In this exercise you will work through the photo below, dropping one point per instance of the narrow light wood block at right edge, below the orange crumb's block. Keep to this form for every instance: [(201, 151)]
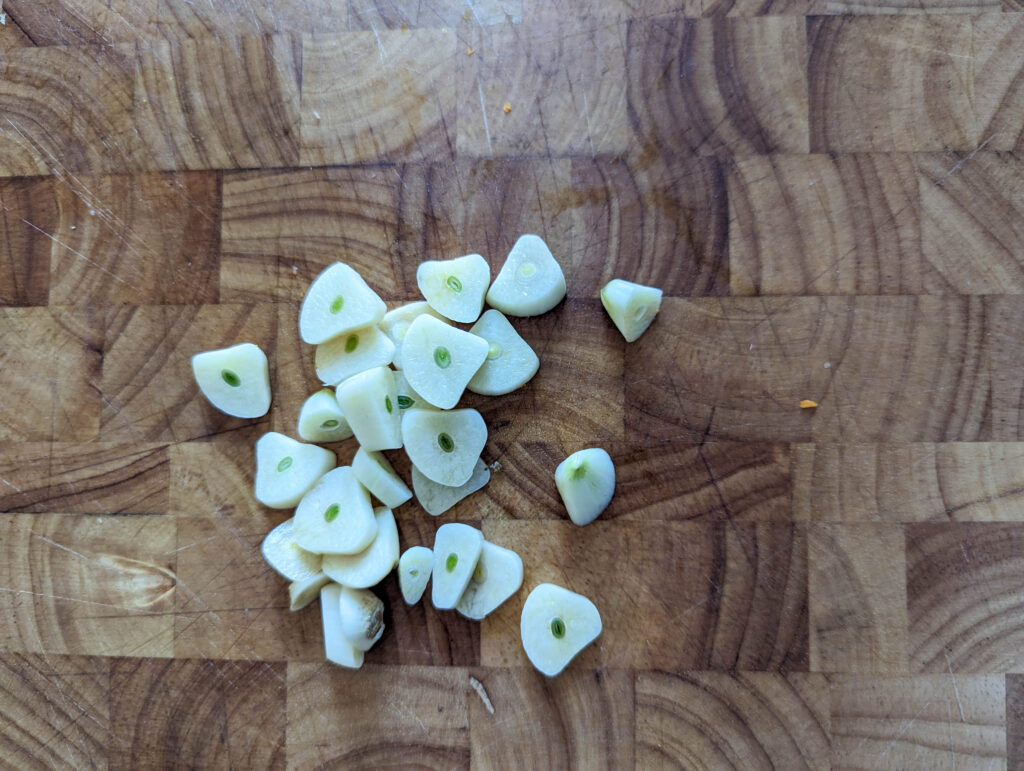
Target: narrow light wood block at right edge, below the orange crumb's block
[(959, 482)]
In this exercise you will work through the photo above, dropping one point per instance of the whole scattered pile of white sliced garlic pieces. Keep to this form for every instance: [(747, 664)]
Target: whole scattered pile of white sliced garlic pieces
[(394, 380)]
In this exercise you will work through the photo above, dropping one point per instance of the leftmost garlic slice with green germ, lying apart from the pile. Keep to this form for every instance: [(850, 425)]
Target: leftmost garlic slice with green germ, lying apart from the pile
[(235, 380)]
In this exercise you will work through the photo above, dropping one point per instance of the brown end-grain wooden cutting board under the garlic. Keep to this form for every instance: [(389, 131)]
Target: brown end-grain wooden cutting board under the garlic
[(834, 206)]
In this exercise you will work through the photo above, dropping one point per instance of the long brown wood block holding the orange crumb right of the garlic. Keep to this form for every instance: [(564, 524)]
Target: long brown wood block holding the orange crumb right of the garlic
[(740, 368)]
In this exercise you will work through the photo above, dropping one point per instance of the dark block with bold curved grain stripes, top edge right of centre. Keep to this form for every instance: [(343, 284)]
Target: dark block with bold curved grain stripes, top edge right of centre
[(753, 102)]
